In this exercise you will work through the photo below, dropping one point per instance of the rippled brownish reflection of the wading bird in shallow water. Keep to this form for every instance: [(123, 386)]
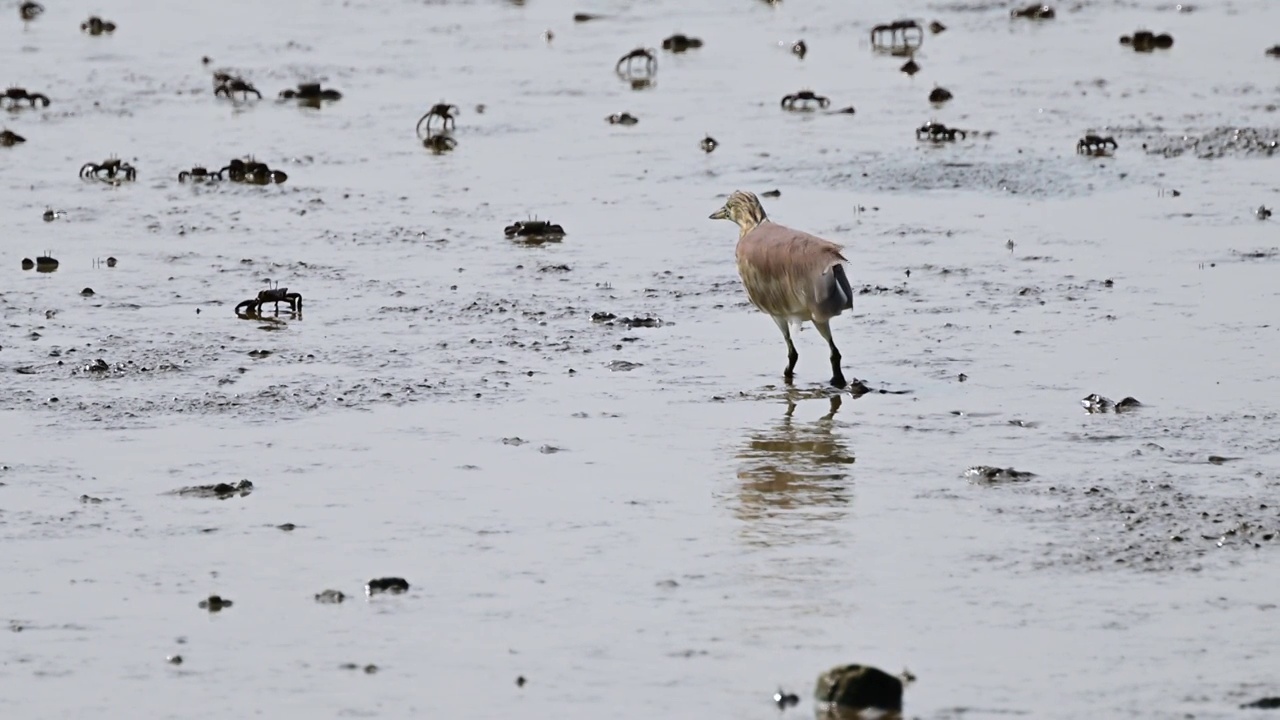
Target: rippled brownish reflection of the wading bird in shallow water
[(794, 473)]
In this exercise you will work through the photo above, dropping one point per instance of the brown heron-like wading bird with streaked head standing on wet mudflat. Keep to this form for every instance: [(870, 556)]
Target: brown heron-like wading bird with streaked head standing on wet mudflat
[(790, 275)]
